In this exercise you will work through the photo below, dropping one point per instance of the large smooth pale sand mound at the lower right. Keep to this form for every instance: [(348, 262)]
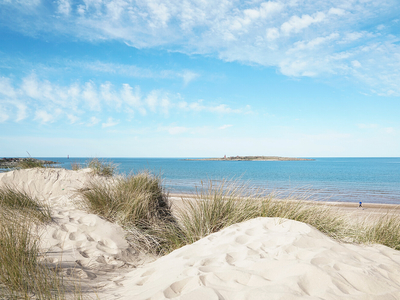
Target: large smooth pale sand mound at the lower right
[(268, 258)]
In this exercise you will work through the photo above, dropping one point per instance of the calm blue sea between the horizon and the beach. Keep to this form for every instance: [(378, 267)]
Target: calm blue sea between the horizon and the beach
[(367, 180)]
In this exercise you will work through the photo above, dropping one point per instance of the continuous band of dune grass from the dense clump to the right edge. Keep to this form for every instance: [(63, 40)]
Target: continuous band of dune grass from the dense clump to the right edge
[(140, 204)]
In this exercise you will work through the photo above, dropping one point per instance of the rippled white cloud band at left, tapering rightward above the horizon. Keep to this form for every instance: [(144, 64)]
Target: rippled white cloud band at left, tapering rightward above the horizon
[(51, 102)]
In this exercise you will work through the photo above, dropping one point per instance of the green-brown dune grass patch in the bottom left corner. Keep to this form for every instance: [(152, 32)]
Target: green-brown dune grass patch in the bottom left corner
[(23, 274)]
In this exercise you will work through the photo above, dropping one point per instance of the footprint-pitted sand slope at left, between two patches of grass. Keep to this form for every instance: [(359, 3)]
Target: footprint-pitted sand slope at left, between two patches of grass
[(87, 247)]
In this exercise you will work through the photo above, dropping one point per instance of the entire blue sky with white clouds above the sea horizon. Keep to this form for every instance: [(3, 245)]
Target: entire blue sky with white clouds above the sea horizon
[(199, 78)]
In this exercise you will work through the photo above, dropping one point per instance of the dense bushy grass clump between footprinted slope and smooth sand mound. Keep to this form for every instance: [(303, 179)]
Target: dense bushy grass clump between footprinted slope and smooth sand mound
[(136, 202)]
